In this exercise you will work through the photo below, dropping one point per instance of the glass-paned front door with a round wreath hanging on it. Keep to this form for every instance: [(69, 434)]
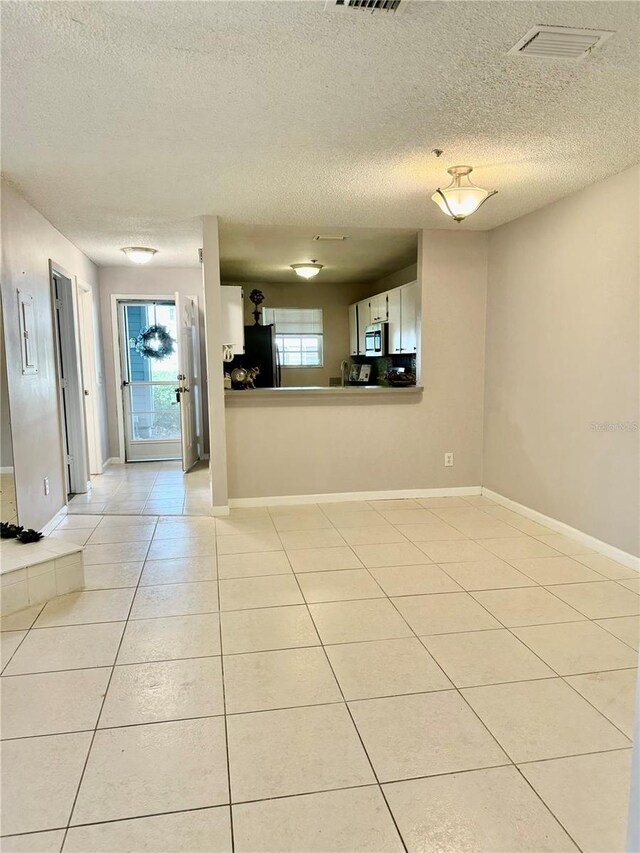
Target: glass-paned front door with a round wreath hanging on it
[(151, 408)]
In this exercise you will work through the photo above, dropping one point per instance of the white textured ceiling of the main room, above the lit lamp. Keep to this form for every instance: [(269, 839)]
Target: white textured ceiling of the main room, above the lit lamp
[(123, 122)]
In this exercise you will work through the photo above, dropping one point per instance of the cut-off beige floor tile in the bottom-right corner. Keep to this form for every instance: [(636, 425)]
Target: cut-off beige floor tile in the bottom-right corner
[(589, 794)]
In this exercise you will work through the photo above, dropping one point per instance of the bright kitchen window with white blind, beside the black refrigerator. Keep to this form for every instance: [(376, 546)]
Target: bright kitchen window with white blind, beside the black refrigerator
[(298, 335)]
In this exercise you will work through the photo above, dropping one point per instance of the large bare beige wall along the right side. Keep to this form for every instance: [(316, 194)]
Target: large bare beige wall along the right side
[(562, 354)]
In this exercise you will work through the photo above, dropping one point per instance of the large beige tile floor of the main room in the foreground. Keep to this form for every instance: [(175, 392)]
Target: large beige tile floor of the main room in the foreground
[(420, 675)]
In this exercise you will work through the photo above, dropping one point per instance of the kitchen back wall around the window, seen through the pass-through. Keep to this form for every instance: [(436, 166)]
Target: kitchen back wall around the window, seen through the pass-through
[(334, 299)]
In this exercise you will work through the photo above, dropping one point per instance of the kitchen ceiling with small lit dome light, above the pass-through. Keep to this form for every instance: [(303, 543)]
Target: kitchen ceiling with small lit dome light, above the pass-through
[(265, 252)]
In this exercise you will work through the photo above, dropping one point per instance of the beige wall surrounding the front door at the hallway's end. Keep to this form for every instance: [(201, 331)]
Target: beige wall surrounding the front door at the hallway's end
[(144, 281)]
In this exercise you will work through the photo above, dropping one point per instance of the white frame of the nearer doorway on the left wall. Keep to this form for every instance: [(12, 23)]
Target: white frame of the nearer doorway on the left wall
[(71, 414)]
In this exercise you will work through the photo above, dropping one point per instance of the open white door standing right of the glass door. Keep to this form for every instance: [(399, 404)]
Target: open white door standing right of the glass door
[(188, 390)]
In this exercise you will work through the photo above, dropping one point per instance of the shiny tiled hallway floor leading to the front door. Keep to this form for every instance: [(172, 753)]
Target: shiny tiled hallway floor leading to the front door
[(147, 488)]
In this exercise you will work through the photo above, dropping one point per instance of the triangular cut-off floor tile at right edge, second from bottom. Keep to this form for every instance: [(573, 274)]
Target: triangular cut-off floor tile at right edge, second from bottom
[(612, 693)]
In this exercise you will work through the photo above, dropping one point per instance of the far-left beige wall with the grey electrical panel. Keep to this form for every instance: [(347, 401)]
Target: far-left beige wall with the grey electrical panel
[(28, 243)]
